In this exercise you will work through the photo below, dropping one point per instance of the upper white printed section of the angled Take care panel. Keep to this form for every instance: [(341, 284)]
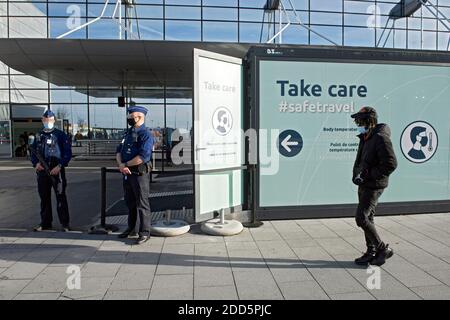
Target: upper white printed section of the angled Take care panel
[(219, 103)]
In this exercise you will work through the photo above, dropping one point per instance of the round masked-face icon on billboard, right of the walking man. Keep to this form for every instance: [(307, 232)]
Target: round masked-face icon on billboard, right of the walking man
[(419, 142)]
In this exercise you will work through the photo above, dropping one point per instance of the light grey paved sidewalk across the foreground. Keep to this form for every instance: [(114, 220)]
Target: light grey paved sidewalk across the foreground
[(301, 259)]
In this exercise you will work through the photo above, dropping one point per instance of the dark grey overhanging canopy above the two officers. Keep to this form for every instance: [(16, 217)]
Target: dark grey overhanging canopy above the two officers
[(109, 63)]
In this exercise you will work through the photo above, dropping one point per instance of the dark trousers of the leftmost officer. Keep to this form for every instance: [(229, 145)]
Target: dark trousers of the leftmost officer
[(45, 186)]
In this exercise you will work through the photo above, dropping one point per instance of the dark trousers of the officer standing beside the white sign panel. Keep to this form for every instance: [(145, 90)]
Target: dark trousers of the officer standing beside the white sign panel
[(136, 193)]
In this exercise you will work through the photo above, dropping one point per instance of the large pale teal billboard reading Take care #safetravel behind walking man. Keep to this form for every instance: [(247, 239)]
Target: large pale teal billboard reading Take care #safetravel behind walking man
[(303, 116)]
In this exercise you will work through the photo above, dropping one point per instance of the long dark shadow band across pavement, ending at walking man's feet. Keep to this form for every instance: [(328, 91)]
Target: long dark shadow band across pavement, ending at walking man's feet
[(81, 254)]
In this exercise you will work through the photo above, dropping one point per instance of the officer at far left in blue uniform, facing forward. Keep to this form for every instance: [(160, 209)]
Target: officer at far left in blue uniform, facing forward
[(55, 150)]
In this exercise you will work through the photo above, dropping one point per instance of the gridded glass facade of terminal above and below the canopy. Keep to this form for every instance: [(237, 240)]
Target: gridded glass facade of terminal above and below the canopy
[(93, 113)]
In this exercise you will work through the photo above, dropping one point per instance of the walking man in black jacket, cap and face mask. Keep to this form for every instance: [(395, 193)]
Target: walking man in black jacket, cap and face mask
[(375, 161)]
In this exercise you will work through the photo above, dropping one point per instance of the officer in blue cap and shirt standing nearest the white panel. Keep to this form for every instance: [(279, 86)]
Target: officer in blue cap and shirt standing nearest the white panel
[(133, 158)]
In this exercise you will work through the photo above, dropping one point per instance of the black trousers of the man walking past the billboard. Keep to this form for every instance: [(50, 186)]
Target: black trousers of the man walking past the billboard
[(365, 213)]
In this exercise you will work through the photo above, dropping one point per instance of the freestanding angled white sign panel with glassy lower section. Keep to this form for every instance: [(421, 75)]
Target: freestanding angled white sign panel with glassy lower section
[(217, 132)]
